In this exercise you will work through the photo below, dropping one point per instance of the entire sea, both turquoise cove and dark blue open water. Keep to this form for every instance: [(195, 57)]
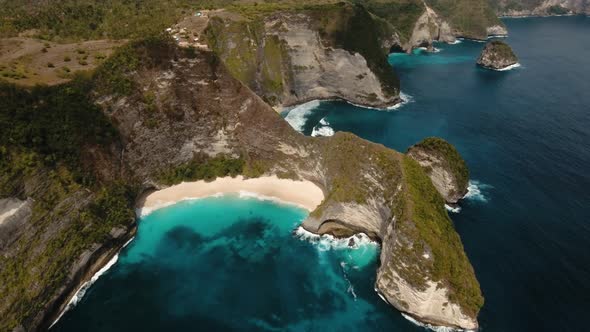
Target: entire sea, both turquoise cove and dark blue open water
[(230, 263)]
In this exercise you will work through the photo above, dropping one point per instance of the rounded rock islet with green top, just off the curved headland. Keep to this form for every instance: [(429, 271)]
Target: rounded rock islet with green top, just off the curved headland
[(445, 167)]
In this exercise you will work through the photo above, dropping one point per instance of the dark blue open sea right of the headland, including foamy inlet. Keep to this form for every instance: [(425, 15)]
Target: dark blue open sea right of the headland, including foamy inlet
[(524, 134)]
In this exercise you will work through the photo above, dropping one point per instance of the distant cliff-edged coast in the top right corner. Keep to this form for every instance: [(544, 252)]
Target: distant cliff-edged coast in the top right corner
[(540, 7)]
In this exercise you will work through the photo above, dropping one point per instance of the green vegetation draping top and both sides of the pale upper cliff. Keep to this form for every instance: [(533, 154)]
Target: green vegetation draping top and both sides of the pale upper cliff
[(258, 58)]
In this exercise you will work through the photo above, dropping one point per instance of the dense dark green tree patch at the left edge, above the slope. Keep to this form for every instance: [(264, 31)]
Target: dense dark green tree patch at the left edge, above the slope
[(56, 123)]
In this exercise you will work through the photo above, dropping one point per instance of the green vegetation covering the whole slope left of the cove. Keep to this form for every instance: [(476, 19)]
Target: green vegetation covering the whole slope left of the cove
[(49, 142)]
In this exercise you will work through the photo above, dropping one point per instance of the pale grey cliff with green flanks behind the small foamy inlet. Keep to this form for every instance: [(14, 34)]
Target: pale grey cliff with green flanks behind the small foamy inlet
[(319, 52)]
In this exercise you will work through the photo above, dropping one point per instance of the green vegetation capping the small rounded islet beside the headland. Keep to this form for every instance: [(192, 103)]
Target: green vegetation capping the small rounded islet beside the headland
[(450, 155)]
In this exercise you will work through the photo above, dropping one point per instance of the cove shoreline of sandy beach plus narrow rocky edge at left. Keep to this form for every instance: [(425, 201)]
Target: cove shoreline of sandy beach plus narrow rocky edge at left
[(304, 194)]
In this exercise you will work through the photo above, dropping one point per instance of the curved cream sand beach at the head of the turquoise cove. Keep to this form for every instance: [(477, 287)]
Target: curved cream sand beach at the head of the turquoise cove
[(301, 193)]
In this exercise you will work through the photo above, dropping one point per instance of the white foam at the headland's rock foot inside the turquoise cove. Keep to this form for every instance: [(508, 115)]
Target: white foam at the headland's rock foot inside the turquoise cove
[(328, 242)]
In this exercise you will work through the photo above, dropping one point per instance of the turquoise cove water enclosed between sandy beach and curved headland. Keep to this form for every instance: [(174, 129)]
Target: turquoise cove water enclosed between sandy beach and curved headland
[(232, 263)]
